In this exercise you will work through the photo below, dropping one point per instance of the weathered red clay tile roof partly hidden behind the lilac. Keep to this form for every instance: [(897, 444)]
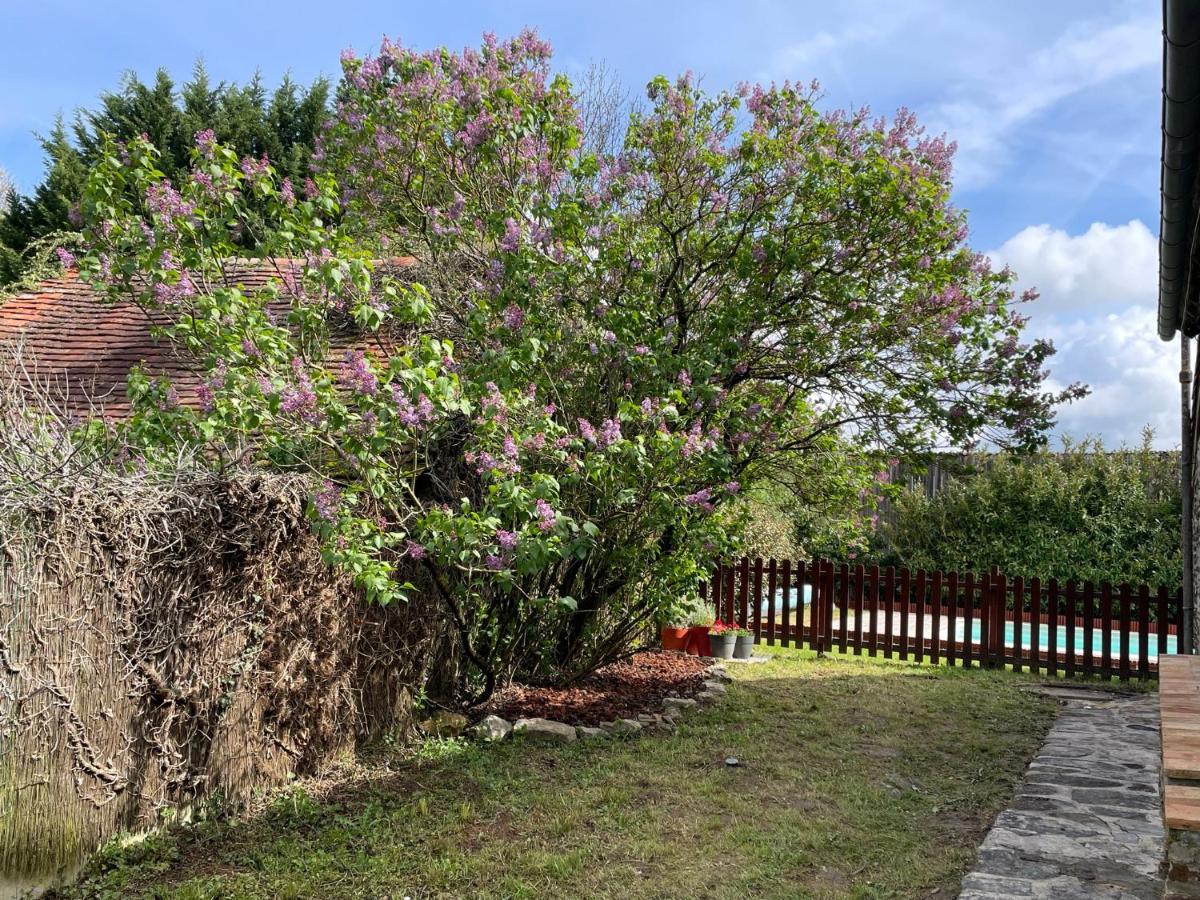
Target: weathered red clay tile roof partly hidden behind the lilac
[(86, 349)]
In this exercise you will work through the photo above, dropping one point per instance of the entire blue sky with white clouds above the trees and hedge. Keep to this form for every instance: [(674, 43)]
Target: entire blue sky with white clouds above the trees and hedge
[(1055, 107)]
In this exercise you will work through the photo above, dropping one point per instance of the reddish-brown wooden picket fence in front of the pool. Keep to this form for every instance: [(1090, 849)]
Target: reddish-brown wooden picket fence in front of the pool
[(988, 621)]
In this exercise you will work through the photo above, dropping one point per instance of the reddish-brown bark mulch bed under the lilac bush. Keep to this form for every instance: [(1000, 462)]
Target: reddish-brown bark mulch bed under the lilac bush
[(617, 692)]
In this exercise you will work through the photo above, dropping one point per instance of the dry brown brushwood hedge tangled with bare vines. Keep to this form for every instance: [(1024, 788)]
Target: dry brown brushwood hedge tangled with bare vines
[(169, 639)]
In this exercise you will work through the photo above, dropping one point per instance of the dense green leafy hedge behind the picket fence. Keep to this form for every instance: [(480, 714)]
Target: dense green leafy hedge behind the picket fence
[(1084, 514)]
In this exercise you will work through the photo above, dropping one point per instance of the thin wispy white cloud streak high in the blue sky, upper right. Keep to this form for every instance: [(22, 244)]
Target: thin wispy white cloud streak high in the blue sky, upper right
[(988, 110)]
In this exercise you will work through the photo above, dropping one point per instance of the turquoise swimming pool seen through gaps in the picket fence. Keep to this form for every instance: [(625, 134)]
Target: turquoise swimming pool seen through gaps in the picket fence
[(1081, 643)]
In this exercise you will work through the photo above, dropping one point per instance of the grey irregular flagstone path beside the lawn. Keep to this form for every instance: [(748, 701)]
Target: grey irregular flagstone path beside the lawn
[(1088, 823)]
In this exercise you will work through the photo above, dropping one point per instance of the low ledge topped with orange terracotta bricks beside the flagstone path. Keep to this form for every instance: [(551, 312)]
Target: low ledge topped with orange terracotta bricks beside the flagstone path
[(1179, 703)]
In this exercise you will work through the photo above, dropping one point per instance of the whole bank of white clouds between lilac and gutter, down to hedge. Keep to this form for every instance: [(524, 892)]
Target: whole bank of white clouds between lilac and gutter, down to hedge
[(1099, 307)]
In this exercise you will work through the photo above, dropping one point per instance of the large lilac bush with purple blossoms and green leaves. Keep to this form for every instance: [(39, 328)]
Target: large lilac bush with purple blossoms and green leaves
[(592, 357)]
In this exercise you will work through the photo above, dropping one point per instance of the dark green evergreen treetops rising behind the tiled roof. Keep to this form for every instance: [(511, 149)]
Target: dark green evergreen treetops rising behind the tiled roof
[(283, 124)]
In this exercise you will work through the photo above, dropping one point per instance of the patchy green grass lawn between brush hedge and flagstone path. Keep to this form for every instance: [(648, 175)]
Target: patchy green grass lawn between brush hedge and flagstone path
[(861, 778)]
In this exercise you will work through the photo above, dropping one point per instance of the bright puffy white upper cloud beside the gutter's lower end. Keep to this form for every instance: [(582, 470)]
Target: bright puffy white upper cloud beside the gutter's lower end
[(1105, 268)]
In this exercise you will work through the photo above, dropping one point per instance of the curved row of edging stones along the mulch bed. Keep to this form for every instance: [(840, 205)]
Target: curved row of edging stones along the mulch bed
[(494, 729)]
